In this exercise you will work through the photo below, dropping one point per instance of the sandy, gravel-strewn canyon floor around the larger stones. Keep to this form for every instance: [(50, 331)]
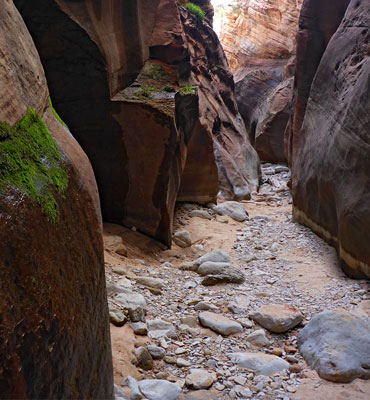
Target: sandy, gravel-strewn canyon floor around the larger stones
[(284, 263)]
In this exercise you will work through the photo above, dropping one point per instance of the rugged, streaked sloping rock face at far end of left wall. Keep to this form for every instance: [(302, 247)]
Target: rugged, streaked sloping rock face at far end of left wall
[(237, 161)]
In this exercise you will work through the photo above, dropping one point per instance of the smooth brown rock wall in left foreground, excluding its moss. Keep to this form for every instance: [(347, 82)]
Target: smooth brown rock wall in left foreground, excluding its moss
[(54, 334)]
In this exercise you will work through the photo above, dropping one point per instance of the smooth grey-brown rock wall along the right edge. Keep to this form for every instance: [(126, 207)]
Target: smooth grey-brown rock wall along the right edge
[(331, 163)]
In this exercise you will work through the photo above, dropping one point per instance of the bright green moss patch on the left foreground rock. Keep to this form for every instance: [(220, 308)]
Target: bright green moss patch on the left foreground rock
[(31, 161)]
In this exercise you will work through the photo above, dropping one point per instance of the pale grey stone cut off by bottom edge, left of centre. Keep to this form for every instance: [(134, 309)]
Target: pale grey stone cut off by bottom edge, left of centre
[(157, 389)]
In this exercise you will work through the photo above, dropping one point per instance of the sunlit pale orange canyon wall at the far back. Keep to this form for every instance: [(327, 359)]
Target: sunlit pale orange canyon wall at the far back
[(259, 40)]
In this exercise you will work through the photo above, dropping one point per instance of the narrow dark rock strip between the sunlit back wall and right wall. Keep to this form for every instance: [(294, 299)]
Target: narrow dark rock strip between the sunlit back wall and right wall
[(318, 22)]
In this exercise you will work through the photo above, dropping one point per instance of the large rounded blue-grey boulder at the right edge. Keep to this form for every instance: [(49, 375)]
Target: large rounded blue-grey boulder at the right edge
[(337, 345)]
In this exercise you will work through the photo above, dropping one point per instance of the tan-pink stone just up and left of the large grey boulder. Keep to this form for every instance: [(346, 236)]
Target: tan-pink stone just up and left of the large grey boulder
[(277, 318)]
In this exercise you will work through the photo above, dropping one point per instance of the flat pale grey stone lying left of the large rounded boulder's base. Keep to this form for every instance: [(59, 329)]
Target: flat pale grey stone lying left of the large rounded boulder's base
[(260, 363)]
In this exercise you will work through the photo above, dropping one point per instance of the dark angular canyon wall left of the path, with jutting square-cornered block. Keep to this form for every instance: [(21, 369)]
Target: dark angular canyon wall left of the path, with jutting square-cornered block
[(113, 71)]
